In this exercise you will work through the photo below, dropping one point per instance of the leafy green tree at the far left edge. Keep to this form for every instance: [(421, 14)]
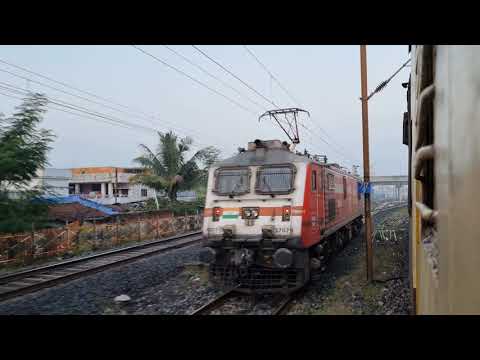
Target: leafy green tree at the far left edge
[(23, 151)]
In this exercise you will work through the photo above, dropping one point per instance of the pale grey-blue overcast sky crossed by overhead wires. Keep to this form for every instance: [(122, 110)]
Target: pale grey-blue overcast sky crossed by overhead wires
[(325, 80)]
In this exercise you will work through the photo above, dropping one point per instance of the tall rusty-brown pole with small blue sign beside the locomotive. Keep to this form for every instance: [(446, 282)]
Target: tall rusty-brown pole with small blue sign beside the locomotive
[(366, 162)]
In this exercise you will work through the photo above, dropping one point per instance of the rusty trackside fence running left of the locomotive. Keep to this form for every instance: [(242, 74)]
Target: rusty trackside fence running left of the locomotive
[(75, 238)]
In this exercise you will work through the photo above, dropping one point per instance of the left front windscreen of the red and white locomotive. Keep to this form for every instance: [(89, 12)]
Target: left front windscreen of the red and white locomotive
[(232, 181)]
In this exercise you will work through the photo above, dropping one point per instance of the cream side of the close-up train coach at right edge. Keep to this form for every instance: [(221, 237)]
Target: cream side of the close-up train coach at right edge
[(442, 131)]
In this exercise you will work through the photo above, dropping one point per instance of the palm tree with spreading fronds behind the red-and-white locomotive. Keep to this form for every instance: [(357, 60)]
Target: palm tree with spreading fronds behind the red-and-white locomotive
[(168, 170)]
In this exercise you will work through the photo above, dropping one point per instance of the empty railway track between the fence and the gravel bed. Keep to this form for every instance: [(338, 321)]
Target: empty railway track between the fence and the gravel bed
[(31, 280)]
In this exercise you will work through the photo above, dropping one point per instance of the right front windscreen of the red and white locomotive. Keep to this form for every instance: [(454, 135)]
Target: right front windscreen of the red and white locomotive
[(275, 179)]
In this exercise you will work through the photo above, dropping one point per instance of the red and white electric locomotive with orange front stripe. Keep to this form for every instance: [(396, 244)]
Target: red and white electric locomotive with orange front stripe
[(273, 216)]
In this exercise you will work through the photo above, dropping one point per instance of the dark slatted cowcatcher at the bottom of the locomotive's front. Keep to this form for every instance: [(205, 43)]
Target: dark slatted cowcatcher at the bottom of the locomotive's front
[(258, 279)]
